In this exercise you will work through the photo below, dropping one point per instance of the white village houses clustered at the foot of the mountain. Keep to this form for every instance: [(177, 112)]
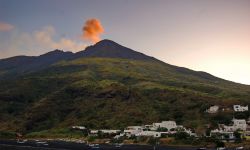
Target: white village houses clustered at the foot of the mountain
[(236, 131)]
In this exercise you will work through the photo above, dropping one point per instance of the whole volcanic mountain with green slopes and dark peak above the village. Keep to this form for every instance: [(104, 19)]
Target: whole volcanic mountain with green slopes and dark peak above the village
[(108, 86)]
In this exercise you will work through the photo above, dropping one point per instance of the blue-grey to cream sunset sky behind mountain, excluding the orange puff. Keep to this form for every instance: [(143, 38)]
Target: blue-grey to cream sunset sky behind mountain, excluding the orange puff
[(203, 35)]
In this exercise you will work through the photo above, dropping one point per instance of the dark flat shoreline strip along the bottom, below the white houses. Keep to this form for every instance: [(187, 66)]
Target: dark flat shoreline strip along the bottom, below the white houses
[(61, 145)]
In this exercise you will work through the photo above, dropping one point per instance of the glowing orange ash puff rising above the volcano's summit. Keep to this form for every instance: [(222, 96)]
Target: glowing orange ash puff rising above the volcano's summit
[(92, 30)]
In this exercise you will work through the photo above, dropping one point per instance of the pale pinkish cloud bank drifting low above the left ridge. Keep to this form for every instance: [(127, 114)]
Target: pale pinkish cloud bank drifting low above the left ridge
[(37, 42)]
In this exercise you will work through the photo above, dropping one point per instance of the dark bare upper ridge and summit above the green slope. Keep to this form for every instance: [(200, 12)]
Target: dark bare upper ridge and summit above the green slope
[(105, 48)]
